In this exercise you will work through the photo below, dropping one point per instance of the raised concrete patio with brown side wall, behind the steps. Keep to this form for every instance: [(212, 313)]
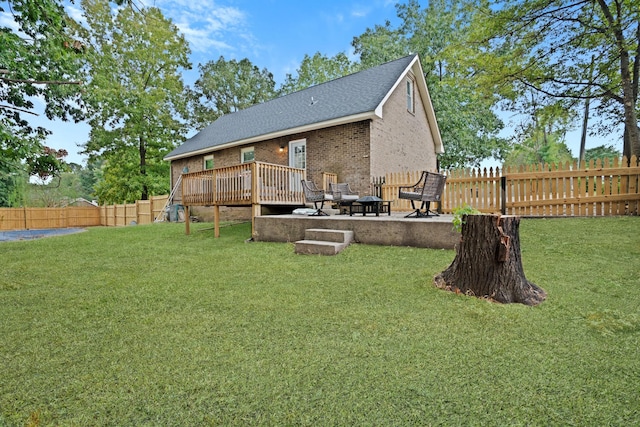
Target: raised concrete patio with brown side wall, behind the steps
[(389, 230)]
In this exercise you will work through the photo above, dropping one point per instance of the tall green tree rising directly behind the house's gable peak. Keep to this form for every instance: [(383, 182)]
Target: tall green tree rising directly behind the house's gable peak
[(464, 108)]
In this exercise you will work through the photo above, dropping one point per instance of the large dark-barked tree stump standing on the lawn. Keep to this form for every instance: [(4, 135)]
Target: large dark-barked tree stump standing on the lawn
[(488, 262)]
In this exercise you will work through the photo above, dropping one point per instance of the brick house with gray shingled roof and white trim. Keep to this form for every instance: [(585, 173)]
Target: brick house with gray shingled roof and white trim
[(360, 126)]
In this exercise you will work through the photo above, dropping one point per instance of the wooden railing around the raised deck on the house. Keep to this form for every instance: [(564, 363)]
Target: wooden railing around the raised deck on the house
[(254, 183)]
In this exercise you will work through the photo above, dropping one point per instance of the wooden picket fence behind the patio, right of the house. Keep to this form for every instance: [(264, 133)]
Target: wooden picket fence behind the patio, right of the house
[(600, 188)]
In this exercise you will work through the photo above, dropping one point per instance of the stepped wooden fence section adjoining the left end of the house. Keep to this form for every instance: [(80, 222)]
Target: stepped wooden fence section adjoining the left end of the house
[(140, 212)]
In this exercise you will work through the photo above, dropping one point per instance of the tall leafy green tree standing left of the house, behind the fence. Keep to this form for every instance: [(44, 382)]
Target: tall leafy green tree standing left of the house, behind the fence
[(136, 97)]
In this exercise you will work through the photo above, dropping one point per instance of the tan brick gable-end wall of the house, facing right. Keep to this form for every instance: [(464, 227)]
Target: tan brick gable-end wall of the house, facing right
[(401, 141)]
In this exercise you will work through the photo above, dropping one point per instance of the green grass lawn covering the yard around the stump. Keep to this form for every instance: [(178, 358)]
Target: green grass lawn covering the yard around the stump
[(146, 326)]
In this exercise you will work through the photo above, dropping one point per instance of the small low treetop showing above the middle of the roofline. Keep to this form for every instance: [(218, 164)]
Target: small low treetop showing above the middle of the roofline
[(318, 69)]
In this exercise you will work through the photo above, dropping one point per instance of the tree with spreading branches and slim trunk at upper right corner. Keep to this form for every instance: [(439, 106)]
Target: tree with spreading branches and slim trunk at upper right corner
[(532, 41)]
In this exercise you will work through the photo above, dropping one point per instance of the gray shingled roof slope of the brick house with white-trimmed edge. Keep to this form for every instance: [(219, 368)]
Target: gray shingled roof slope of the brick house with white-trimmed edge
[(347, 96)]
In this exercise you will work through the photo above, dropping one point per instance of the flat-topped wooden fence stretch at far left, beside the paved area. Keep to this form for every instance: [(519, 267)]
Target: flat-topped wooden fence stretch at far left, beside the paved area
[(38, 218)]
